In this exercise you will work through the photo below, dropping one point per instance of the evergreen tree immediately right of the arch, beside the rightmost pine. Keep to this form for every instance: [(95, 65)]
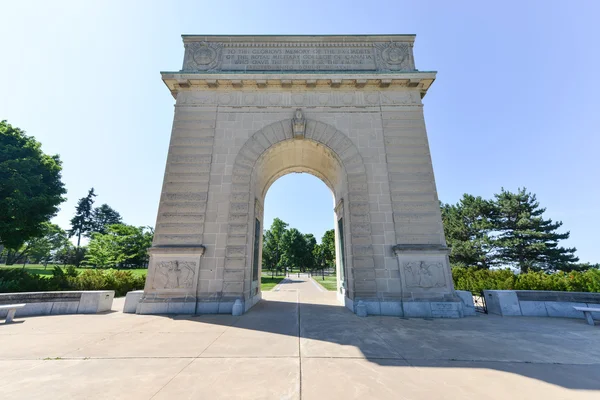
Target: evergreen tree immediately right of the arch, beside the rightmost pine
[(468, 226)]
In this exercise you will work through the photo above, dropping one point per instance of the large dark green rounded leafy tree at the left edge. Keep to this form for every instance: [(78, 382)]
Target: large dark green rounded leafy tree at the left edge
[(30, 187)]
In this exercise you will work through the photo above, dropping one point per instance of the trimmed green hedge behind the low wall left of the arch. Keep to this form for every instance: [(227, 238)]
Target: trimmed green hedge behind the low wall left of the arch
[(19, 280)]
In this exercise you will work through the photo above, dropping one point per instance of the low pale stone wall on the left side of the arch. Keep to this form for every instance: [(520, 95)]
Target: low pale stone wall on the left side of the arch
[(54, 303)]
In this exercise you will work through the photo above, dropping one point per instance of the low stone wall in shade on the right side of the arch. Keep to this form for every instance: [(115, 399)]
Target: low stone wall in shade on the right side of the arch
[(540, 303)]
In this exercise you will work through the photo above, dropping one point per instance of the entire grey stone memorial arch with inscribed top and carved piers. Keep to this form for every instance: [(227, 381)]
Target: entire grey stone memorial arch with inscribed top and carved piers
[(250, 109)]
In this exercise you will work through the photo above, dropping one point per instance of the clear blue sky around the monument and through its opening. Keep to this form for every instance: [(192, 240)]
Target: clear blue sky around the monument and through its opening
[(515, 102)]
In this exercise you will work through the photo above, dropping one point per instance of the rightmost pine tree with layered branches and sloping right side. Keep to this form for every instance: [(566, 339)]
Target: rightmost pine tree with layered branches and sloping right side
[(525, 239)]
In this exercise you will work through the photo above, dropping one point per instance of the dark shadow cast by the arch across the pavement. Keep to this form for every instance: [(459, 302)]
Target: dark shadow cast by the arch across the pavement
[(558, 351)]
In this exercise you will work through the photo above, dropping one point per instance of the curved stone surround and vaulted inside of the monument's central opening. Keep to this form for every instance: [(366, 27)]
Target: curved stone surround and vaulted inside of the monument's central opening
[(323, 151)]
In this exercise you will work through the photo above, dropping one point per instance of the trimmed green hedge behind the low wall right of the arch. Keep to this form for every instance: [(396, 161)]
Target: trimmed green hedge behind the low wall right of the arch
[(476, 280)]
